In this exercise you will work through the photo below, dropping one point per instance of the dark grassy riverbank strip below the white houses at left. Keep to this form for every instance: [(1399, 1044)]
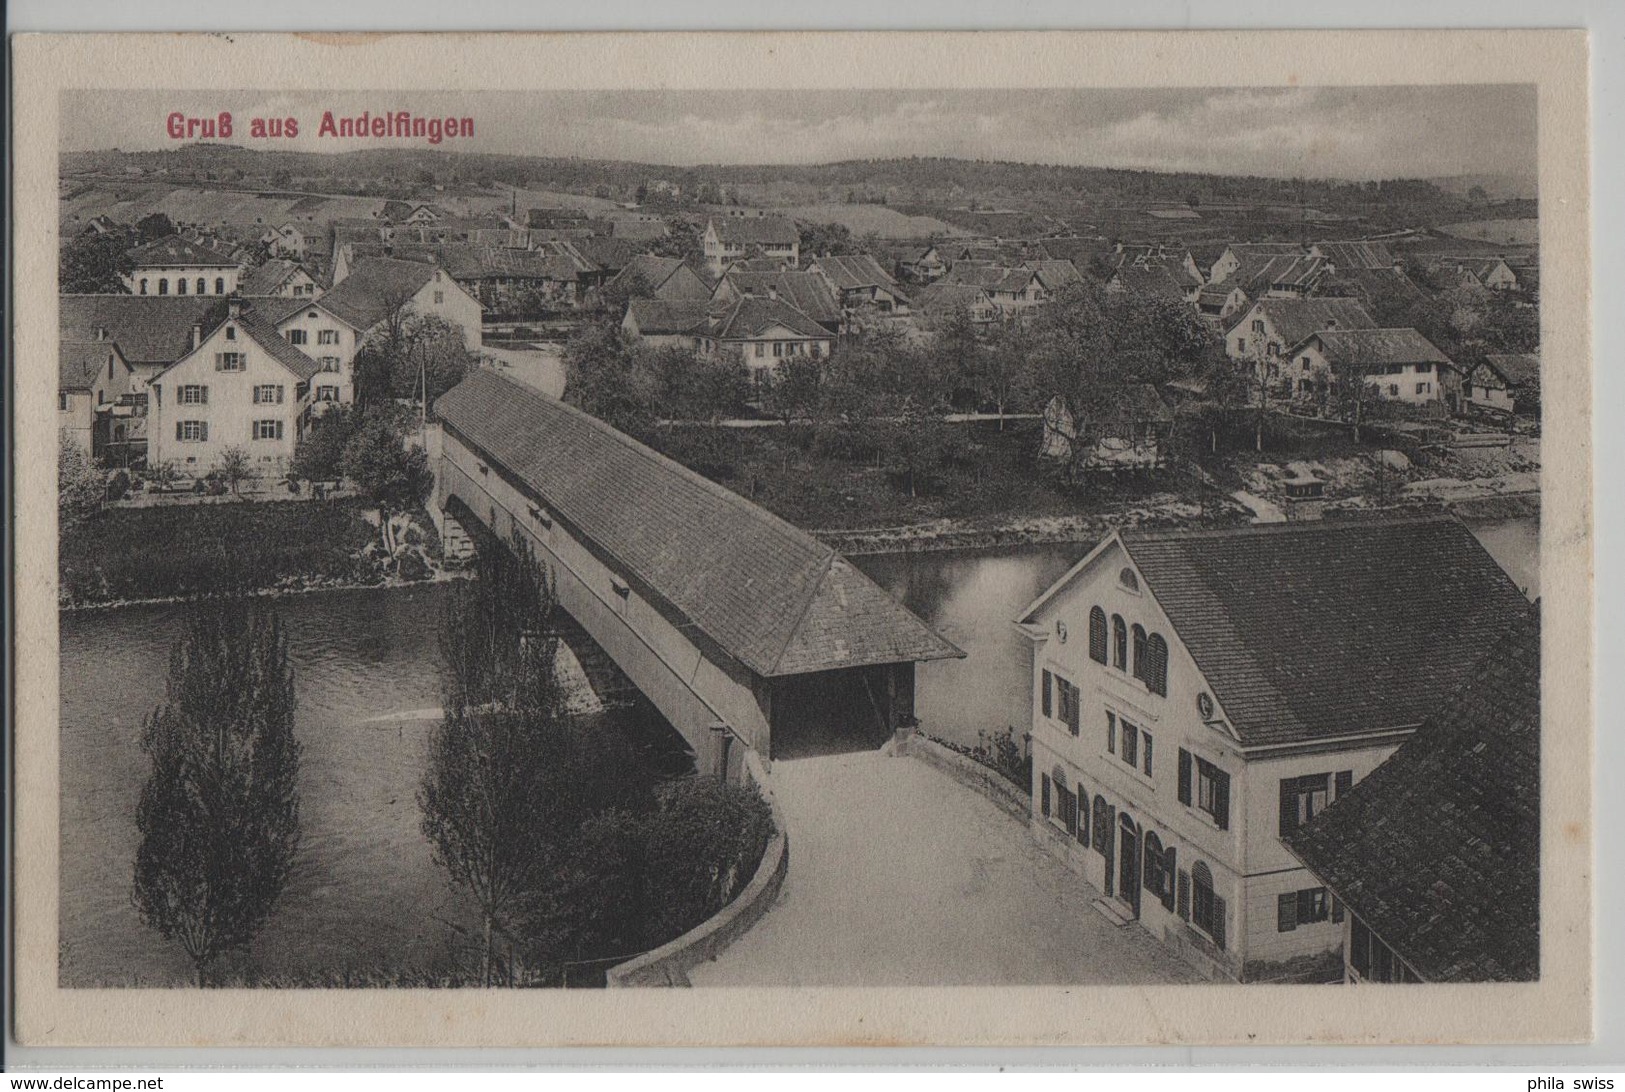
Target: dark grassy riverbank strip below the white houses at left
[(199, 548)]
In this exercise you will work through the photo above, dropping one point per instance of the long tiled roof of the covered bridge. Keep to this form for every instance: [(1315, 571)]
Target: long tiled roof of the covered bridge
[(768, 594)]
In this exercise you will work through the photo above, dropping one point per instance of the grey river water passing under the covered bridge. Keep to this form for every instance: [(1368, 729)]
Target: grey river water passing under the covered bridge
[(366, 890)]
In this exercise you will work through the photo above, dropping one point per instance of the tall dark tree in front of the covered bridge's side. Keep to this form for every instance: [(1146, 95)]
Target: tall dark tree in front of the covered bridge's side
[(513, 774)]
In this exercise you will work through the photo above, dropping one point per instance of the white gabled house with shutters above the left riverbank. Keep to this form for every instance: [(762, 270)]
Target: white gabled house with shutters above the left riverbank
[(240, 388)]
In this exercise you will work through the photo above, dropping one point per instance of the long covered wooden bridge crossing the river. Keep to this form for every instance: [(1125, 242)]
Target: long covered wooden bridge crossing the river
[(734, 623)]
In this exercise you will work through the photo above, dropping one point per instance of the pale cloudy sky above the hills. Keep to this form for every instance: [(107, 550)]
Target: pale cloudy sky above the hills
[(1288, 132)]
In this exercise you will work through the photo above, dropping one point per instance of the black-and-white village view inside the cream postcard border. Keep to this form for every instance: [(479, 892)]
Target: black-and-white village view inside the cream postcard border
[(568, 540)]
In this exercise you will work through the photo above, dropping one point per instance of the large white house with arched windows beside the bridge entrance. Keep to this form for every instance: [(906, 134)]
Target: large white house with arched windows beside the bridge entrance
[(1200, 695)]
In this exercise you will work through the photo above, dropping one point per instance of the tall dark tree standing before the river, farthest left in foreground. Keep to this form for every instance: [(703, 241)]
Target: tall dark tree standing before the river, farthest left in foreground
[(220, 812)]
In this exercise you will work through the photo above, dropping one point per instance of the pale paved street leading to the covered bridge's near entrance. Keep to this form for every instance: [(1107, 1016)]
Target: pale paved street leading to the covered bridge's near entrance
[(903, 877)]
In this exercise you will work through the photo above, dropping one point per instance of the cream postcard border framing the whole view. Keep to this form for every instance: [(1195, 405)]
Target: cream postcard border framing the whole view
[(1554, 1010)]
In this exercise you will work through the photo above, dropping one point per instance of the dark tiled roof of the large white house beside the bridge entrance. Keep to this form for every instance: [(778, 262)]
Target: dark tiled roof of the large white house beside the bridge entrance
[(1324, 630)]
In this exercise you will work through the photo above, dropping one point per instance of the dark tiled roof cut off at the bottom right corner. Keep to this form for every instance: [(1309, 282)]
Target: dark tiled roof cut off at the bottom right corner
[(1439, 851)]
